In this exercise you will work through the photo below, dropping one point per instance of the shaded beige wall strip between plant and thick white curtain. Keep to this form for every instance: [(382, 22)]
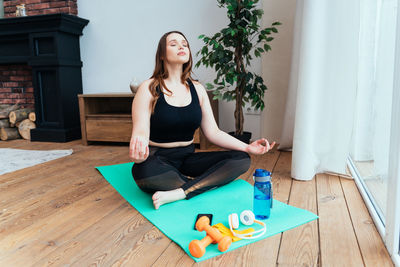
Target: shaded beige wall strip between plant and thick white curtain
[(276, 66)]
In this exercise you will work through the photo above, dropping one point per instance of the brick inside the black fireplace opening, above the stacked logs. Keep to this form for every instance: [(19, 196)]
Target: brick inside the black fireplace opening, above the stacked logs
[(16, 85)]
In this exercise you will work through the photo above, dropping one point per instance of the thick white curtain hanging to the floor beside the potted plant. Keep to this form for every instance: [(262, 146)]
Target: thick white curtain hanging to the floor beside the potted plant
[(323, 84)]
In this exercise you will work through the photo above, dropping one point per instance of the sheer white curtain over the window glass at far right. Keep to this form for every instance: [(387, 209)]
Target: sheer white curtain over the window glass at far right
[(371, 131)]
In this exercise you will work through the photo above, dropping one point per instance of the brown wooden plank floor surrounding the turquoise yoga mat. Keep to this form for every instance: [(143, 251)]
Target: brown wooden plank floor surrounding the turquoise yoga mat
[(63, 213)]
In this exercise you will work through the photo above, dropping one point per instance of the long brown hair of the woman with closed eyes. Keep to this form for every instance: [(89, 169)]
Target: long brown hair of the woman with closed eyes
[(160, 72)]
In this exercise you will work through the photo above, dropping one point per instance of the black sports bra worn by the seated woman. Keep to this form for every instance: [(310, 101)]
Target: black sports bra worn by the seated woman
[(175, 124)]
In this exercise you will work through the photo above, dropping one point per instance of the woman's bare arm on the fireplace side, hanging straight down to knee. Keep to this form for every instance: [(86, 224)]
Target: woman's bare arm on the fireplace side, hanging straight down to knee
[(141, 111)]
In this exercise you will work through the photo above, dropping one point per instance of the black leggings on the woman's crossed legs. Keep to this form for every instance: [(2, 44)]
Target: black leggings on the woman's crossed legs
[(171, 168)]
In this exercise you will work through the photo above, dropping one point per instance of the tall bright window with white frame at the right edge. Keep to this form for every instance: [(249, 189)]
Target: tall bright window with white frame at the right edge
[(374, 159)]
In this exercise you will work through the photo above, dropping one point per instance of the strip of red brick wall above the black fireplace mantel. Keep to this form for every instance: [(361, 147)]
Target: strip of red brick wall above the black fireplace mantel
[(38, 7)]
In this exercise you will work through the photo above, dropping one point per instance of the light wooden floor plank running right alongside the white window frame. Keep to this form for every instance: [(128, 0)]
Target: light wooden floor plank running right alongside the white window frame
[(371, 245)]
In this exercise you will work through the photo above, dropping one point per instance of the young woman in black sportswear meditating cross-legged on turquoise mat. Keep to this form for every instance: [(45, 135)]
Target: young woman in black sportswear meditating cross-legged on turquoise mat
[(166, 111)]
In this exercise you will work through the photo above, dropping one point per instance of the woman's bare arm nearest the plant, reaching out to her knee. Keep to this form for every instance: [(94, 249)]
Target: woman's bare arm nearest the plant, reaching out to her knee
[(221, 138)]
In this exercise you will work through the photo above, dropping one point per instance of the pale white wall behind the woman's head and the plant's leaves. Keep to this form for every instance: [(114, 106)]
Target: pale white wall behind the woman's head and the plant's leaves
[(121, 38)]
